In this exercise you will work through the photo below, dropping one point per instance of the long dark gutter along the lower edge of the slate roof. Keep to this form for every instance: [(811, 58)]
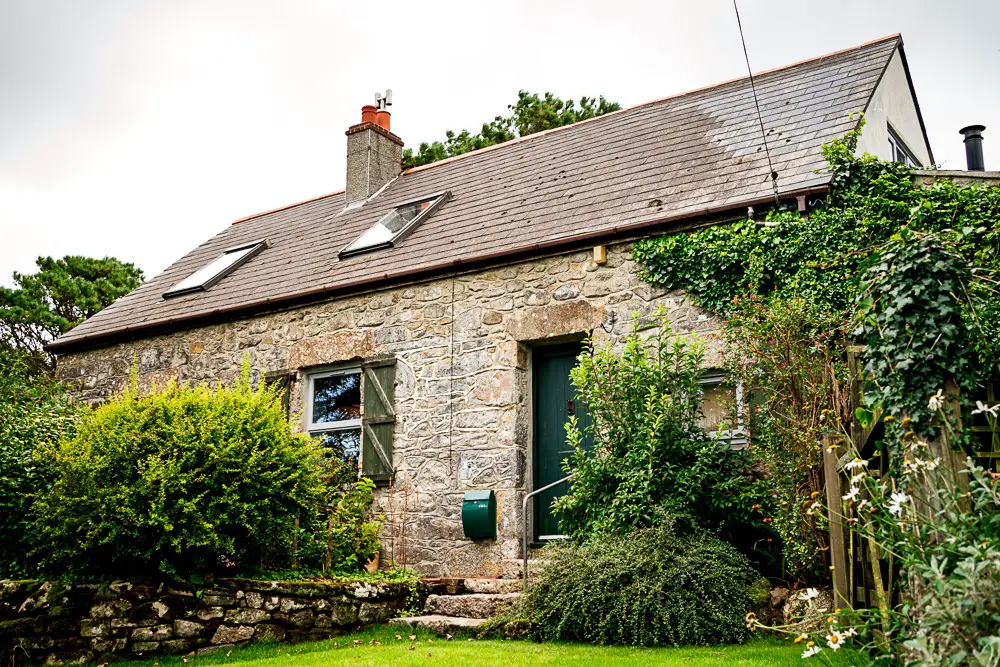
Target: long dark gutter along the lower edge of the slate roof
[(423, 272)]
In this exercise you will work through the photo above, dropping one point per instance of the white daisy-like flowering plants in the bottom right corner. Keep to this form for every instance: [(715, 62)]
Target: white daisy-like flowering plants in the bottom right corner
[(945, 540)]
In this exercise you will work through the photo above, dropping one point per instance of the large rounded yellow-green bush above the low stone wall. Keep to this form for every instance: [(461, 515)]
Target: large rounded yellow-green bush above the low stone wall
[(178, 481)]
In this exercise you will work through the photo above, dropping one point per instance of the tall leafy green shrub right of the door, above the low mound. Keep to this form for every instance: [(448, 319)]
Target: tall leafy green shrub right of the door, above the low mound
[(649, 456)]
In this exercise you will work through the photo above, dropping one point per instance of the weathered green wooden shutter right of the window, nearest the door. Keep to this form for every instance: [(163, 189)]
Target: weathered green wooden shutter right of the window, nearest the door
[(378, 419)]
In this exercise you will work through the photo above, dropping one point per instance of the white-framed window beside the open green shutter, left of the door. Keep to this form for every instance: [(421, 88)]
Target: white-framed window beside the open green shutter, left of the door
[(333, 410)]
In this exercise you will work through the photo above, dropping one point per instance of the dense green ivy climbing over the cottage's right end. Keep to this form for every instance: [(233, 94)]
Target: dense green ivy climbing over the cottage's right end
[(913, 270)]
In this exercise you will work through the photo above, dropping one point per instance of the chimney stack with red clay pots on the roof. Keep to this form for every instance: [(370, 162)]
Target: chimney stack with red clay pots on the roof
[(374, 154)]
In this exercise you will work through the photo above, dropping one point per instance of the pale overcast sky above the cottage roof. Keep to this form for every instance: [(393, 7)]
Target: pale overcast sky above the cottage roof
[(139, 129)]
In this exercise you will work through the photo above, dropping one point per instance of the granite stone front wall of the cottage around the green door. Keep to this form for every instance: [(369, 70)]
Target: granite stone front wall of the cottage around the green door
[(463, 350)]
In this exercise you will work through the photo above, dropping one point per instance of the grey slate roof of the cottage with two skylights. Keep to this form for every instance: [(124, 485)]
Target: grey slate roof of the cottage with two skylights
[(677, 157)]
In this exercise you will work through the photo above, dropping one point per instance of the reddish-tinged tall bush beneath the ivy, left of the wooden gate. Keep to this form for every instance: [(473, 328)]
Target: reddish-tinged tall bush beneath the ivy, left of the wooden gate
[(787, 350)]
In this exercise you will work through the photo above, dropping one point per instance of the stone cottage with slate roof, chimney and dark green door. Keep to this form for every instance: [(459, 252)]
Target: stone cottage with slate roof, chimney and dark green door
[(425, 321)]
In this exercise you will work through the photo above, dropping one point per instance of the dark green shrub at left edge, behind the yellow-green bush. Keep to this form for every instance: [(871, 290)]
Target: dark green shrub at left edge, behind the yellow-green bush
[(34, 411)]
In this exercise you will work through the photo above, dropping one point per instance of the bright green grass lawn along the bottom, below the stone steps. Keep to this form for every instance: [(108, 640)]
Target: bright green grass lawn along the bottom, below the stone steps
[(431, 649)]
